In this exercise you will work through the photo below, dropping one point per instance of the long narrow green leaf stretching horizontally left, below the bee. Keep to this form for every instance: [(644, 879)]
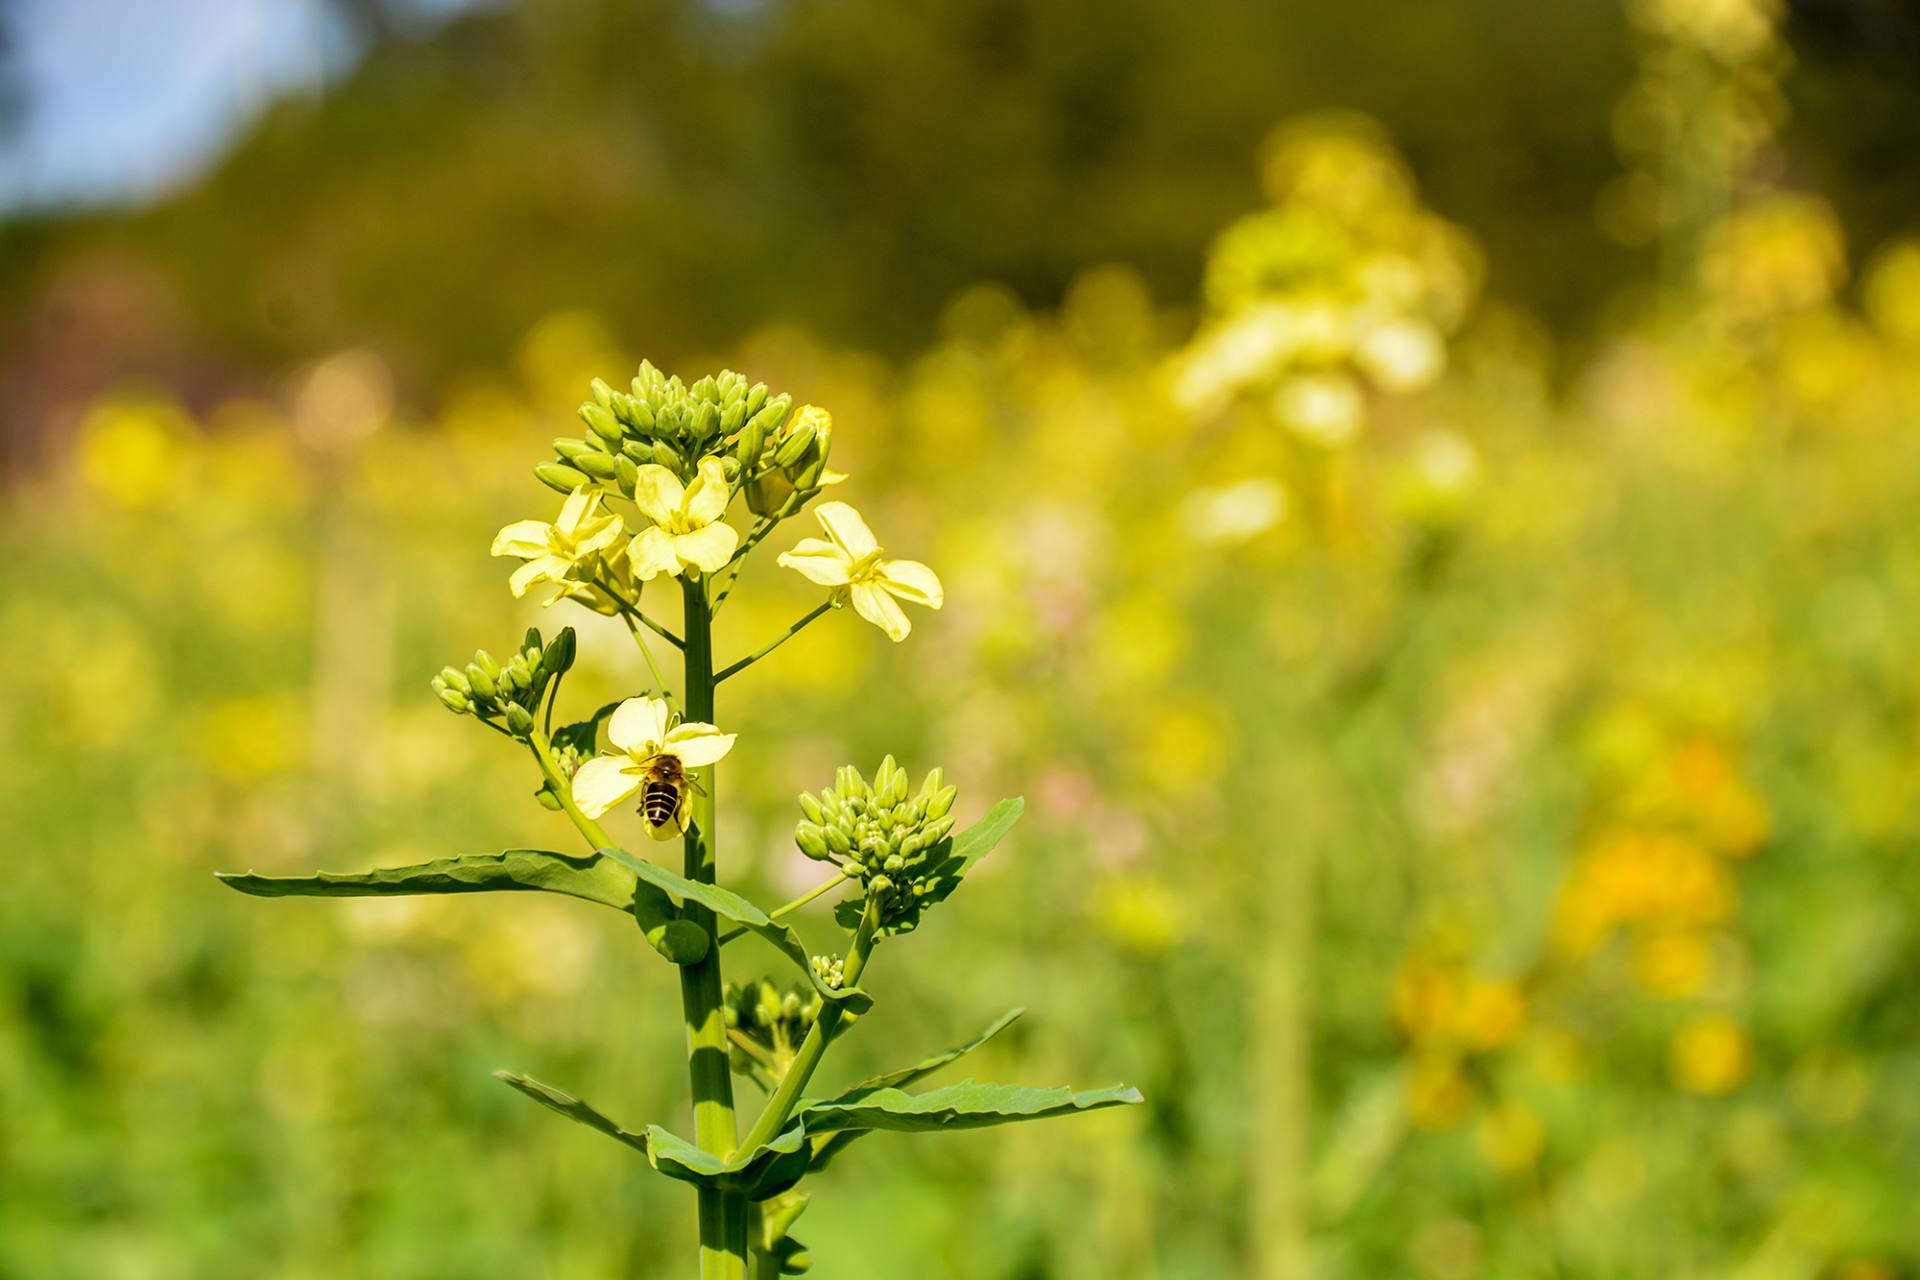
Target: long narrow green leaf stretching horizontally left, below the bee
[(585, 876)]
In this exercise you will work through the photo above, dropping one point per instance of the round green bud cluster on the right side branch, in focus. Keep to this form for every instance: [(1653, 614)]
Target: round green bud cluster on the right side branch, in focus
[(880, 836)]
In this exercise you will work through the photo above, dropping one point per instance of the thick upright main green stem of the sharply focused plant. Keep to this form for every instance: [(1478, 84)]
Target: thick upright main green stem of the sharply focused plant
[(723, 1214)]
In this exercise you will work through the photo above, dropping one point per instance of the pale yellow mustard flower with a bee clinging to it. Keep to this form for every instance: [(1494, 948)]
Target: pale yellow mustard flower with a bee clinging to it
[(654, 761)]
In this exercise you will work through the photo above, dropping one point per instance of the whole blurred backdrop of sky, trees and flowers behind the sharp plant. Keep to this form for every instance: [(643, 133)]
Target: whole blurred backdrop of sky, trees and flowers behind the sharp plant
[(1426, 496)]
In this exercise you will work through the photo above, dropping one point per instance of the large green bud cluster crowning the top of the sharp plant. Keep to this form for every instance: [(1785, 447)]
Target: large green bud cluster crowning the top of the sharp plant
[(667, 423)]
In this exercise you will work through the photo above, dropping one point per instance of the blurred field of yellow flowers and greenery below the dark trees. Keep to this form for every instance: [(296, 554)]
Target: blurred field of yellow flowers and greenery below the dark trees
[(1470, 776)]
